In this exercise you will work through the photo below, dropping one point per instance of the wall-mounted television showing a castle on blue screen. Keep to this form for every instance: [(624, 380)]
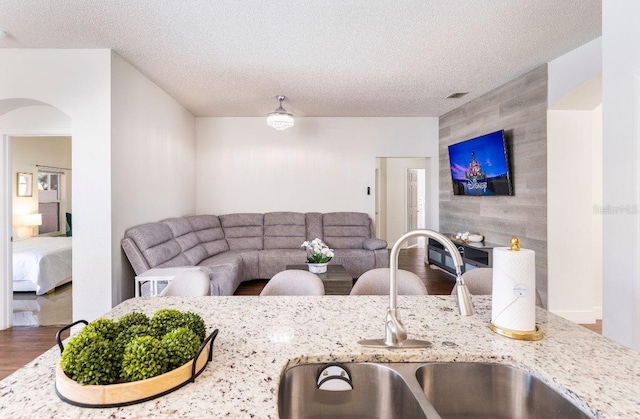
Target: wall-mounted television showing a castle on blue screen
[(480, 166)]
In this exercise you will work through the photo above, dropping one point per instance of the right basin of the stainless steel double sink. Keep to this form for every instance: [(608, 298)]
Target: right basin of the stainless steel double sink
[(476, 390)]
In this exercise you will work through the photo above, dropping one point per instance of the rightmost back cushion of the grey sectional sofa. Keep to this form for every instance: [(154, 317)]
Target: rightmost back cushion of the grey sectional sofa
[(346, 230)]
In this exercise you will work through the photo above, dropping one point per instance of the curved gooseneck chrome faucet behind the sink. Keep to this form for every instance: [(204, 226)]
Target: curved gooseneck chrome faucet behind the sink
[(395, 331)]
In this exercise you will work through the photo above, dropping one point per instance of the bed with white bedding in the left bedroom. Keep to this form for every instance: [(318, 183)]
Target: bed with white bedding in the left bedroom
[(41, 263)]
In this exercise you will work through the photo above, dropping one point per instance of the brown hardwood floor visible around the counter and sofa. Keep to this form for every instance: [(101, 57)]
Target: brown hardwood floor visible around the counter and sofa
[(20, 345)]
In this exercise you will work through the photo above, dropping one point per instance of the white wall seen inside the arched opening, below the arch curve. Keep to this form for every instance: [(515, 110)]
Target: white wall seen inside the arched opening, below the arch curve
[(574, 225)]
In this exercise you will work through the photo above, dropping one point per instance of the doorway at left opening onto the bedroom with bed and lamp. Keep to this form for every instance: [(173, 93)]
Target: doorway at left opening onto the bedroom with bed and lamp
[(41, 231)]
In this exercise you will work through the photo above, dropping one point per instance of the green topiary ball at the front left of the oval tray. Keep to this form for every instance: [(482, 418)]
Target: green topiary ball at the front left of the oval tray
[(89, 358)]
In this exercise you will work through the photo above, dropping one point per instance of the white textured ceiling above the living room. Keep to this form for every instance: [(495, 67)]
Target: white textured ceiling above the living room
[(329, 57)]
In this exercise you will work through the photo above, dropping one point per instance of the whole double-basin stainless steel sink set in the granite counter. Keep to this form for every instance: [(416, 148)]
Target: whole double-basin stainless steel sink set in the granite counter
[(421, 390)]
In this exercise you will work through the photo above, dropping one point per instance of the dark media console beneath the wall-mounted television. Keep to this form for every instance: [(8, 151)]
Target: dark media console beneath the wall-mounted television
[(474, 255)]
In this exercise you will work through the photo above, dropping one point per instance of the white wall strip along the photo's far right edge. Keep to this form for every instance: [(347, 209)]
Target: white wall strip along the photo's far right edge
[(621, 167)]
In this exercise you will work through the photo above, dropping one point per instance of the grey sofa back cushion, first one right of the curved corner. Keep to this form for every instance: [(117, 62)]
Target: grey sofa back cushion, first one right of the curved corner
[(243, 231)]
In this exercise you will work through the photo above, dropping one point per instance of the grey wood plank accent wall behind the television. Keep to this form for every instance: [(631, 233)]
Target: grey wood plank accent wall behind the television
[(520, 108)]
